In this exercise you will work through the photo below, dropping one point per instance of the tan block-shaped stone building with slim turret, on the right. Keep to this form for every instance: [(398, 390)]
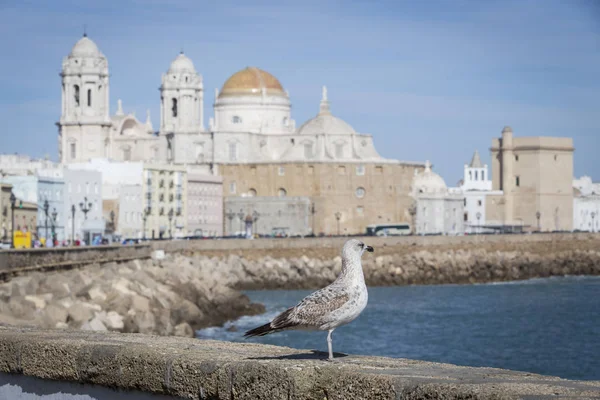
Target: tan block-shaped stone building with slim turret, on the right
[(535, 175)]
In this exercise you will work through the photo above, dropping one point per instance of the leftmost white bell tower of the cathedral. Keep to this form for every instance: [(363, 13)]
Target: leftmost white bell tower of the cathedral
[(84, 123)]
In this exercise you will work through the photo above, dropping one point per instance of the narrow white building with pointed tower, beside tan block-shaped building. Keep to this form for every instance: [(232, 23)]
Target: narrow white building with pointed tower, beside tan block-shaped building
[(476, 186)]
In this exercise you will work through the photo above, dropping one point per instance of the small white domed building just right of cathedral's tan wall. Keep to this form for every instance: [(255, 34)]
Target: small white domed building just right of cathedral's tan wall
[(438, 209)]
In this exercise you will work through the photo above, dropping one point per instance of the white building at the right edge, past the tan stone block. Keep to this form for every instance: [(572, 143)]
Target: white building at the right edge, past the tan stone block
[(586, 205)]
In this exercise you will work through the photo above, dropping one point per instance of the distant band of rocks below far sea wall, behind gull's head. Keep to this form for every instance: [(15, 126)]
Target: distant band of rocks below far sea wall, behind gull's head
[(405, 265)]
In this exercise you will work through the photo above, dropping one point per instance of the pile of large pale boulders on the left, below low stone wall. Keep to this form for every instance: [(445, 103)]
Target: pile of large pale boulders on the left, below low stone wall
[(173, 296)]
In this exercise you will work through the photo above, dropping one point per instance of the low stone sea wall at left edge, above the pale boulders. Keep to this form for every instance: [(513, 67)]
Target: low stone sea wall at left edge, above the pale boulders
[(14, 261)]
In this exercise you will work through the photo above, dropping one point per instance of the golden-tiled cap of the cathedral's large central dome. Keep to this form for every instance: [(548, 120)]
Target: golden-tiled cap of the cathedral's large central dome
[(251, 81)]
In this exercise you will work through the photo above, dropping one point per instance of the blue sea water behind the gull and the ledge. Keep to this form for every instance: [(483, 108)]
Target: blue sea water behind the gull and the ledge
[(547, 326)]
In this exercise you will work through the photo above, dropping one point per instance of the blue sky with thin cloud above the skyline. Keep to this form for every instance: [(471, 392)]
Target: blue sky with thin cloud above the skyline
[(428, 79)]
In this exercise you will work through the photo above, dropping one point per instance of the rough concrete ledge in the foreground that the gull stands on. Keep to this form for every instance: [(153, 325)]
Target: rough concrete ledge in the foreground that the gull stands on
[(203, 369)]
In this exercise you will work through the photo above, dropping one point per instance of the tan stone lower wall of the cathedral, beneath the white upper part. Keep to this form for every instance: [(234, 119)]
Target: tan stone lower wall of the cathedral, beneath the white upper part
[(363, 194)]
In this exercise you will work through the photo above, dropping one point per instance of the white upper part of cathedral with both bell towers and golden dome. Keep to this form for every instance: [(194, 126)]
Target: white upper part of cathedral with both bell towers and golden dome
[(252, 120)]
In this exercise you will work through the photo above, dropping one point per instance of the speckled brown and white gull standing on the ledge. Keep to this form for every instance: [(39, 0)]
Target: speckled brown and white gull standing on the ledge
[(334, 305)]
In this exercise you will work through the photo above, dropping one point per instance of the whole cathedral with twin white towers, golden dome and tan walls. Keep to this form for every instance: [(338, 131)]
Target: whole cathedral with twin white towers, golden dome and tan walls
[(251, 141)]
